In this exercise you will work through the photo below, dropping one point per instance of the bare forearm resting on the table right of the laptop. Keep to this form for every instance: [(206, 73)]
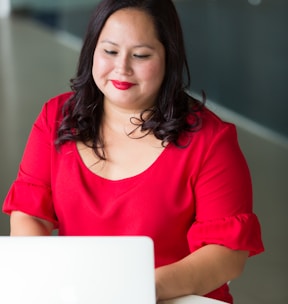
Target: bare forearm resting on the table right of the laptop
[(200, 272)]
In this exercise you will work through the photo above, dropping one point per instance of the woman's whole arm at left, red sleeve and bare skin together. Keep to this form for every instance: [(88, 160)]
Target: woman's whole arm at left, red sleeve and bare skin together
[(32, 188)]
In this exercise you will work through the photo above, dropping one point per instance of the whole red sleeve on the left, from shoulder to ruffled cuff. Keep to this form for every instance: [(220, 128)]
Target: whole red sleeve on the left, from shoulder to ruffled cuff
[(31, 191)]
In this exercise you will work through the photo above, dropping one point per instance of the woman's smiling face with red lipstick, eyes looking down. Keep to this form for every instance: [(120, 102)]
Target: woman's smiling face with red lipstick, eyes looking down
[(129, 61)]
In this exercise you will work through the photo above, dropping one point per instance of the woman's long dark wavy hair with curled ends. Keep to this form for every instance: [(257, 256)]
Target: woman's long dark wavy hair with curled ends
[(168, 118)]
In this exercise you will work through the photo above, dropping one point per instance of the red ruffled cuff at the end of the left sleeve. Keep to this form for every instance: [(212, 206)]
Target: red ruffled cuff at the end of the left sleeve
[(32, 199)]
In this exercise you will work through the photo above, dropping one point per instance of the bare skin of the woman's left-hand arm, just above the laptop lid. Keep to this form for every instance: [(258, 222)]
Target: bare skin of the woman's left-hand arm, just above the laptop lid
[(22, 224)]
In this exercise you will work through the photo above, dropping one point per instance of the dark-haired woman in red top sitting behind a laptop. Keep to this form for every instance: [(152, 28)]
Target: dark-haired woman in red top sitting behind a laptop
[(128, 152)]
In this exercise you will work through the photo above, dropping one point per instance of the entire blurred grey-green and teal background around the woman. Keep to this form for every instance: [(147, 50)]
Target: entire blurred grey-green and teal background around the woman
[(237, 52)]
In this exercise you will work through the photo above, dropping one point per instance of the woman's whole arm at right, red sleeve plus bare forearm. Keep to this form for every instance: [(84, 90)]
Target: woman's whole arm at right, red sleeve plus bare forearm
[(223, 190)]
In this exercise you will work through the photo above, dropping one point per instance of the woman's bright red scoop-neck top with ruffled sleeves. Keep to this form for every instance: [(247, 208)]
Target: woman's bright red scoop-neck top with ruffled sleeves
[(187, 198)]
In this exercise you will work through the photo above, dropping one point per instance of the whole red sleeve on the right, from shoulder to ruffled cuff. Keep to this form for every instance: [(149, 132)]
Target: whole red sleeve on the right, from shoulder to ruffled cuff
[(223, 196)]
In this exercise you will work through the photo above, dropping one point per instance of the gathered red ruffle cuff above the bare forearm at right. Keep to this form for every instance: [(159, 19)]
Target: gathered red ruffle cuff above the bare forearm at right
[(240, 232)]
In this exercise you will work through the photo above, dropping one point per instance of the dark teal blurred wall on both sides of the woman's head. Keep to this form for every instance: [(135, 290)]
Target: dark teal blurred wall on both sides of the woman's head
[(237, 52)]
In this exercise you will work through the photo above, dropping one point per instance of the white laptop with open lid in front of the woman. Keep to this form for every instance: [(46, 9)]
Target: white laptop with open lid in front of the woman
[(77, 270)]
